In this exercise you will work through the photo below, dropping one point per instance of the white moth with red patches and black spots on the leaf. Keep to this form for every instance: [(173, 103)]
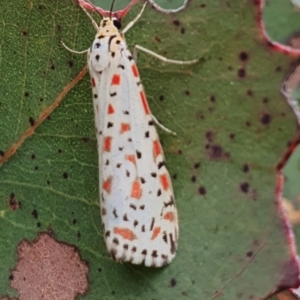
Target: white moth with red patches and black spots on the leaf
[(139, 216)]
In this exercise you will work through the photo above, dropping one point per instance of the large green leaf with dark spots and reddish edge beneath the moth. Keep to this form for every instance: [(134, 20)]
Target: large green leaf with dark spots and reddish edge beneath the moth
[(232, 126)]
